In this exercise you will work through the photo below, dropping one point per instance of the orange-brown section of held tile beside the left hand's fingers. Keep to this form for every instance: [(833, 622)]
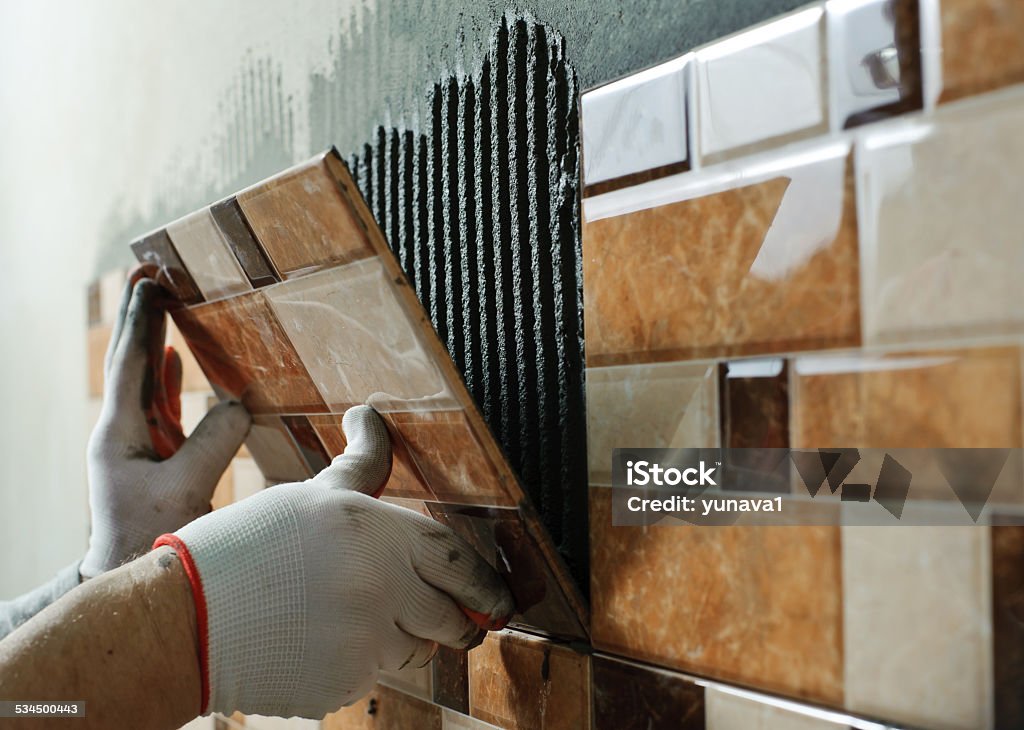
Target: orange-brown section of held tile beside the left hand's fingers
[(246, 355)]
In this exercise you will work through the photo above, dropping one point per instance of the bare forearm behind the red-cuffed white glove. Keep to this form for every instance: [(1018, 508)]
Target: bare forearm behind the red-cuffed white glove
[(124, 642)]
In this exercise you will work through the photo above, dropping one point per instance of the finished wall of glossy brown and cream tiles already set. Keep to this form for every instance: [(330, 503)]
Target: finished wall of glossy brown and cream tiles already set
[(807, 235)]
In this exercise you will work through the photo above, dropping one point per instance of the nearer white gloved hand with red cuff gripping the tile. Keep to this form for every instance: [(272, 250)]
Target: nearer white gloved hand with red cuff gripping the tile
[(305, 591)]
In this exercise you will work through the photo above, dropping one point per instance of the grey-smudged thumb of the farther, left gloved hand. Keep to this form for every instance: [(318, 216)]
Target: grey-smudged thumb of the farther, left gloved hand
[(203, 458)]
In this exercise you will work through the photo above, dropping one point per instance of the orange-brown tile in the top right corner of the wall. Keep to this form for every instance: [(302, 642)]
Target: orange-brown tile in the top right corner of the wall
[(983, 46)]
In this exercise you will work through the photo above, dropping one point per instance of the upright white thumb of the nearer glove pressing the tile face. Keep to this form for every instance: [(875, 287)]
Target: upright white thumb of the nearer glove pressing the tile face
[(366, 463)]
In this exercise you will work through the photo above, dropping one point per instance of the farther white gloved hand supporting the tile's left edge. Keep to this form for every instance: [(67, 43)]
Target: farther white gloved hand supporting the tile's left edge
[(135, 496)]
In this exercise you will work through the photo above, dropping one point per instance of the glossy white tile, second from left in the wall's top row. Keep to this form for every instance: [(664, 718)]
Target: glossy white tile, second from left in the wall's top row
[(763, 87)]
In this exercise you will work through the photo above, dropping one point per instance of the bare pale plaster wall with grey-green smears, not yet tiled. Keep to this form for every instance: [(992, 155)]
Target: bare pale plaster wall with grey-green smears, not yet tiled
[(119, 117)]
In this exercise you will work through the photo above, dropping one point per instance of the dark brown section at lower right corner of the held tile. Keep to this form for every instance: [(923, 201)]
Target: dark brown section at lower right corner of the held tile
[(505, 539)]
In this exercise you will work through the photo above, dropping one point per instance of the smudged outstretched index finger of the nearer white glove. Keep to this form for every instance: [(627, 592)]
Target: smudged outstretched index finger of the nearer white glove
[(449, 564)]
